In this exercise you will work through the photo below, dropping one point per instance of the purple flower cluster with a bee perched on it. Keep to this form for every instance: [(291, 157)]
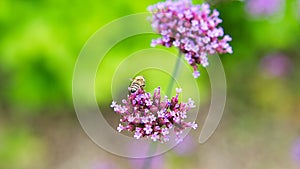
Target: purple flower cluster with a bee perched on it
[(153, 117)]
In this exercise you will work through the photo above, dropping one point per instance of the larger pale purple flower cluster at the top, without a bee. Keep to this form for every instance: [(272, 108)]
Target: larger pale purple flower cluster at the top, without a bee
[(191, 28)]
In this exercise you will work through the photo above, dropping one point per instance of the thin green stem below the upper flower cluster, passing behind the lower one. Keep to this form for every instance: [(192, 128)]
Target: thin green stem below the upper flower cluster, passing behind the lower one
[(152, 147)]
